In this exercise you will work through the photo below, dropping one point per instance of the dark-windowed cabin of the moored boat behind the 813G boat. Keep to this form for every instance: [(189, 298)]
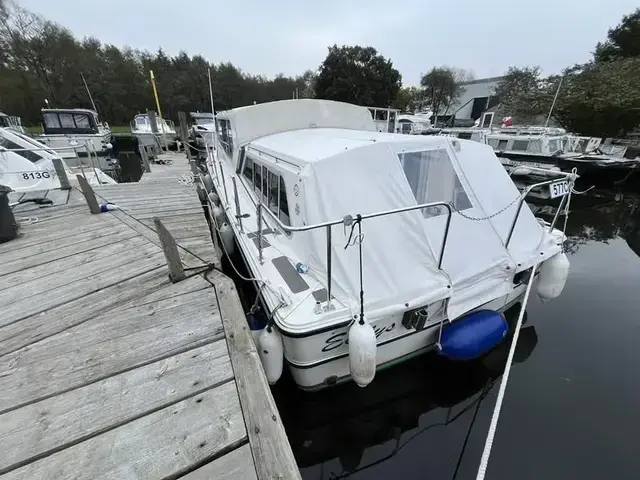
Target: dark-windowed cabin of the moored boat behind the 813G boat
[(74, 121)]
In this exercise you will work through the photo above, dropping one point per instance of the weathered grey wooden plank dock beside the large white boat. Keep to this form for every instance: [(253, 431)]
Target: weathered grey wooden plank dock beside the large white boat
[(108, 370)]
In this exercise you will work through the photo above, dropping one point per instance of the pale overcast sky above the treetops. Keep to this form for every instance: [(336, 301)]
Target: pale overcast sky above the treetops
[(287, 36)]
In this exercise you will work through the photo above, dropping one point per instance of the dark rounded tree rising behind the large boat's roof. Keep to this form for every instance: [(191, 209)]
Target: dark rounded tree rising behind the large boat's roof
[(357, 75)]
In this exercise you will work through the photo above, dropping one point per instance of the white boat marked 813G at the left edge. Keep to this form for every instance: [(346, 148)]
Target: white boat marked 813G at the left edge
[(27, 165)]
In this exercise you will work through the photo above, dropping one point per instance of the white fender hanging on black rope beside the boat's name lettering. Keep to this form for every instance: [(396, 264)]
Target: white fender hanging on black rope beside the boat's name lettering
[(362, 353)]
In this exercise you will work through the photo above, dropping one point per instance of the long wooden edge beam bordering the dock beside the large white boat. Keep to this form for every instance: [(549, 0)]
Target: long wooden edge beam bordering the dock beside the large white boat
[(271, 450)]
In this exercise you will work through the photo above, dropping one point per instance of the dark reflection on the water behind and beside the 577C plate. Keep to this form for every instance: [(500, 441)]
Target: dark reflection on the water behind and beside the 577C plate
[(599, 215)]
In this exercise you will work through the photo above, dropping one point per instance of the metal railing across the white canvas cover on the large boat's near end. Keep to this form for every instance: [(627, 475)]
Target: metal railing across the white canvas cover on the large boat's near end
[(346, 221)]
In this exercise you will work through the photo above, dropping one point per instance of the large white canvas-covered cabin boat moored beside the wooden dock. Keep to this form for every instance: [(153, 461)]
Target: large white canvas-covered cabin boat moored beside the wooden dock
[(293, 180)]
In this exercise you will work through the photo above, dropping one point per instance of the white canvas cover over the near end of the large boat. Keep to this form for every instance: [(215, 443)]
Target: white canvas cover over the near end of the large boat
[(360, 172)]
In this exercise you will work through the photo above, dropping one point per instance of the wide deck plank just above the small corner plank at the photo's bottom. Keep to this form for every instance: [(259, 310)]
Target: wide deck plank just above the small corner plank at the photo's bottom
[(166, 443)]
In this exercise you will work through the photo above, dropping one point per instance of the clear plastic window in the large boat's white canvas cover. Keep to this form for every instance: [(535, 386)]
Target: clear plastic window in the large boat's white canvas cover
[(432, 178)]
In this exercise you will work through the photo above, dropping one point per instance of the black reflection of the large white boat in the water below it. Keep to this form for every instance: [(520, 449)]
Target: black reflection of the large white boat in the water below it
[(345, 430)]
